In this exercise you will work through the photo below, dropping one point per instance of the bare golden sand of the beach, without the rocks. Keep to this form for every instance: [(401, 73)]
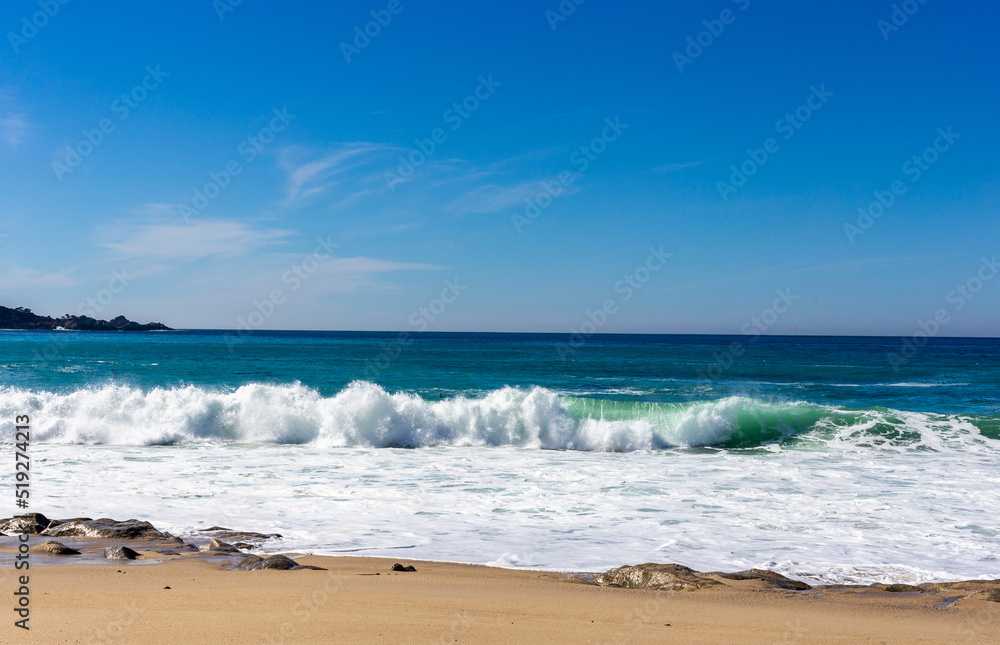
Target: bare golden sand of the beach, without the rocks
[(360, 600)]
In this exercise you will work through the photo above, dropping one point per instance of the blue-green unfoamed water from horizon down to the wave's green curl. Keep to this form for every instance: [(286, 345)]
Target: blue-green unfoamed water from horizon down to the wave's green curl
[(785, 385)]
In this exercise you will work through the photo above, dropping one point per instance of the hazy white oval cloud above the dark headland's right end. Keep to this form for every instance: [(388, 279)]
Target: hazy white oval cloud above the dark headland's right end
[(192, 241)]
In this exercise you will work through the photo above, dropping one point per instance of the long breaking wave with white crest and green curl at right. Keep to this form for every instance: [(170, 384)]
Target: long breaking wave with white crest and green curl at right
[(366, 415)]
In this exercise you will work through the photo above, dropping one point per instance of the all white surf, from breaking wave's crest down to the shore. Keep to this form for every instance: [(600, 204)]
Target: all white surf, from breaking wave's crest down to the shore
[(830, 493)]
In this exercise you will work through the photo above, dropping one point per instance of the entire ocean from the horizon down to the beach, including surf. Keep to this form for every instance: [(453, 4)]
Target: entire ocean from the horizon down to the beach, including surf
[(827, 459)]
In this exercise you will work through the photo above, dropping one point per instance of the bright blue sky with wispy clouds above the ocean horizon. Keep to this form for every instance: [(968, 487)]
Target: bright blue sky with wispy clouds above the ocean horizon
[(516, 99)]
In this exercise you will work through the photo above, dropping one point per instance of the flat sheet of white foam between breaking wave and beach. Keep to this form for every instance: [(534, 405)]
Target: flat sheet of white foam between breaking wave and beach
[(816, 516)]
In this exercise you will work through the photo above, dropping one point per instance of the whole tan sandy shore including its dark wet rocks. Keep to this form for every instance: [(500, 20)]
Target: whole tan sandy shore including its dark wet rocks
[(203, 589)]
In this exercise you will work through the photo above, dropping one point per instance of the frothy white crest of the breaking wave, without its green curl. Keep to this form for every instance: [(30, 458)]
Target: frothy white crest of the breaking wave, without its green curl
[(364, 414)]
